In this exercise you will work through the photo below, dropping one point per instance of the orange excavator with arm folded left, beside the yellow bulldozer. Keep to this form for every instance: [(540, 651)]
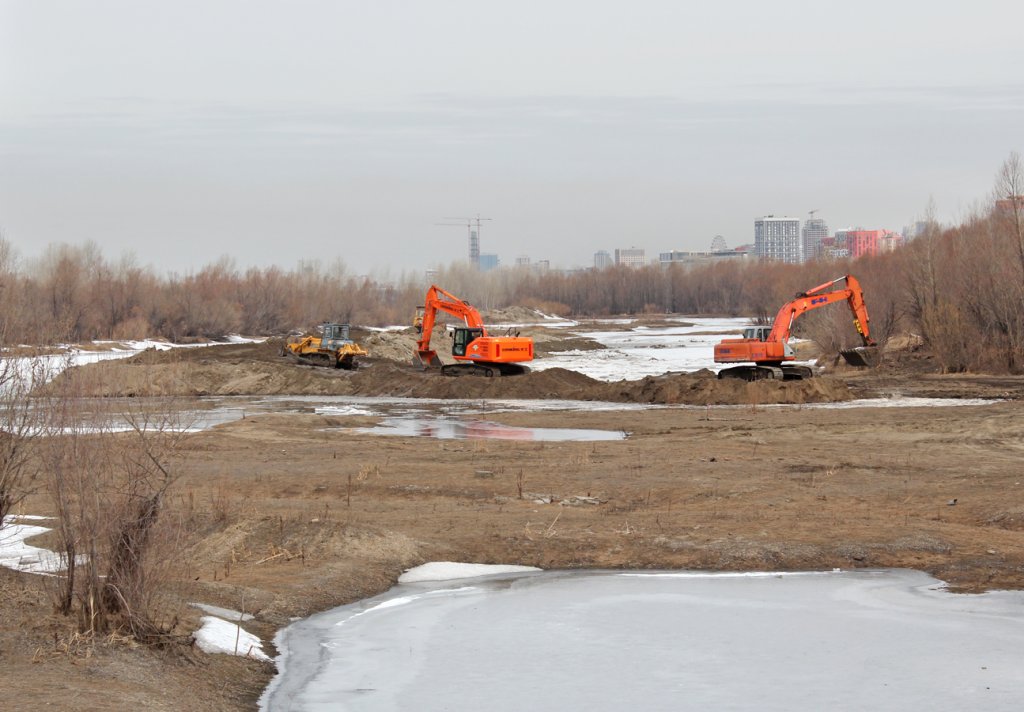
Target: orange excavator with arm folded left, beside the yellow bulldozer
[(479, 354)]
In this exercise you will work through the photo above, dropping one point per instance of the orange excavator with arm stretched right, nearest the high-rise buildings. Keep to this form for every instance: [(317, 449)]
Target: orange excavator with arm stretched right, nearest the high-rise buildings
[(770, 348)]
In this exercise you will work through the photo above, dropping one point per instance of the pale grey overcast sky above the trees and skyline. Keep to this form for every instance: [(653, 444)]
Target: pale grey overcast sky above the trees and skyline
[(281, 132)]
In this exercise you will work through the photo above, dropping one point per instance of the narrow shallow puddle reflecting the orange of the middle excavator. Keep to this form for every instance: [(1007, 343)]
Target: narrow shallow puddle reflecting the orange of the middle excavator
[(447, 429)]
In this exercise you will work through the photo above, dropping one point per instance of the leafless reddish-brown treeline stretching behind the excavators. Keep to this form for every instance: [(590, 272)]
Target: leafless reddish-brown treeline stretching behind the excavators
[(960, 288)]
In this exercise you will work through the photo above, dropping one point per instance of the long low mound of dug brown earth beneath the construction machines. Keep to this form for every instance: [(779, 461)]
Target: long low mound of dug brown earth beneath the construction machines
[(259, 369)]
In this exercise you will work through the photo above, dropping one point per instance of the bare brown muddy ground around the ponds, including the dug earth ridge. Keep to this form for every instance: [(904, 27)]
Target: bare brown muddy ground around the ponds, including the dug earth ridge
[(295, 514)]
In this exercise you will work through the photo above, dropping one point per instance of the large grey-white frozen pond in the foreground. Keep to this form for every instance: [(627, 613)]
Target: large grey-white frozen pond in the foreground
[(594, 642)]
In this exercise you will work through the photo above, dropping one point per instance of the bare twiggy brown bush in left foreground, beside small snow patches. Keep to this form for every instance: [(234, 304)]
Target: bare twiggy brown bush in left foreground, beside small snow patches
[(108, 474)]
